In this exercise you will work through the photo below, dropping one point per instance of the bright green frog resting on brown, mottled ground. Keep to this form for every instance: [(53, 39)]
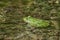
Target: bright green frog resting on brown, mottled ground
[(32, 21)]
